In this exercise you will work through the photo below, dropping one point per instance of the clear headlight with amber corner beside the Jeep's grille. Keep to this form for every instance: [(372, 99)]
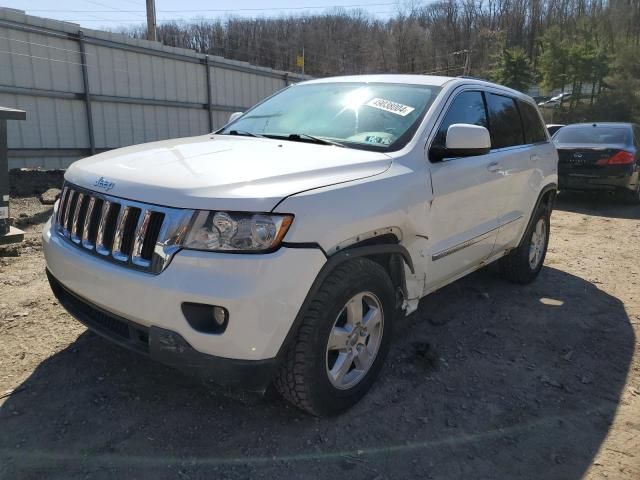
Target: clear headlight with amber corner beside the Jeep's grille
[(237, 232)]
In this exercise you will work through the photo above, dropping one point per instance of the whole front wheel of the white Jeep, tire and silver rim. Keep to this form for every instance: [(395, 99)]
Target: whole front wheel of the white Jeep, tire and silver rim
[(343, 340)]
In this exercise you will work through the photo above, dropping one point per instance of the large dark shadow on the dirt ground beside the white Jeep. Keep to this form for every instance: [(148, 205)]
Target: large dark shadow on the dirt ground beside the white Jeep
[(487, 380)]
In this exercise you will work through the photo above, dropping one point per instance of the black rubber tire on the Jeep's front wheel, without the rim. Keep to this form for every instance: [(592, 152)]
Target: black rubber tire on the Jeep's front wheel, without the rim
[(303, 379)]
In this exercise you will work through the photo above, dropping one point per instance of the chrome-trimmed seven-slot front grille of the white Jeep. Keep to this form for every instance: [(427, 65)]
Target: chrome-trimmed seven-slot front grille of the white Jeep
[(132, 234)]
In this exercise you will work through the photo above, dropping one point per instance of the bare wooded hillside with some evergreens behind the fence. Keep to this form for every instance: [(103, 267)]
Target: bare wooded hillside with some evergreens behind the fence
[(588, 47)]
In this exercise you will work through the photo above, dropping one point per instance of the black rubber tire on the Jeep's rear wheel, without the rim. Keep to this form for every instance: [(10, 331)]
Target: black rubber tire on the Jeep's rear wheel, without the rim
[(515, 266)]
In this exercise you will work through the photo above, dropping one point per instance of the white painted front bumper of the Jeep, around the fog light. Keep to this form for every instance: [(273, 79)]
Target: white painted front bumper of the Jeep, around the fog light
[(262, 293)]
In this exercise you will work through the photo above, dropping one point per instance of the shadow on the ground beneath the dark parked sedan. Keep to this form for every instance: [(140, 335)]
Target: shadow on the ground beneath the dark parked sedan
[(596, 203)]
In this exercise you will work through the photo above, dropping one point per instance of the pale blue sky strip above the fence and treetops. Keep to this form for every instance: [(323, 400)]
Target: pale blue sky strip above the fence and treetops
[(111, 14)]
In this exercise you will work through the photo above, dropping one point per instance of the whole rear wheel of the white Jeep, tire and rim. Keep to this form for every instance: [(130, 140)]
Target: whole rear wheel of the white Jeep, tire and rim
[(523, 264)]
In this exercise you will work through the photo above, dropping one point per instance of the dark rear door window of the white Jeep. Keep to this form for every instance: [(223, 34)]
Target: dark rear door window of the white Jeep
[(506, 128)]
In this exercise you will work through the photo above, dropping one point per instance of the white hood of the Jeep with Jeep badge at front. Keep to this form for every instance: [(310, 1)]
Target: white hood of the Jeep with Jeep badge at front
[(222, 172)]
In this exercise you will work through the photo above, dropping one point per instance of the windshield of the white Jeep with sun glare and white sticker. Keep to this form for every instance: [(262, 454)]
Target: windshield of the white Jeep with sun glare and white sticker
[(370, 116)]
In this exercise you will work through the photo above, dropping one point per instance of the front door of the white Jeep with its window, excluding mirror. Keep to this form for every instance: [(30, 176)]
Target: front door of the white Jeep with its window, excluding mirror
[(464, 212)]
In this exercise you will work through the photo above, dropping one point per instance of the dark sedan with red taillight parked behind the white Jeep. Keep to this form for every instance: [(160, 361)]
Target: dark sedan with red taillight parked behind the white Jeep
[(600, 156)]
